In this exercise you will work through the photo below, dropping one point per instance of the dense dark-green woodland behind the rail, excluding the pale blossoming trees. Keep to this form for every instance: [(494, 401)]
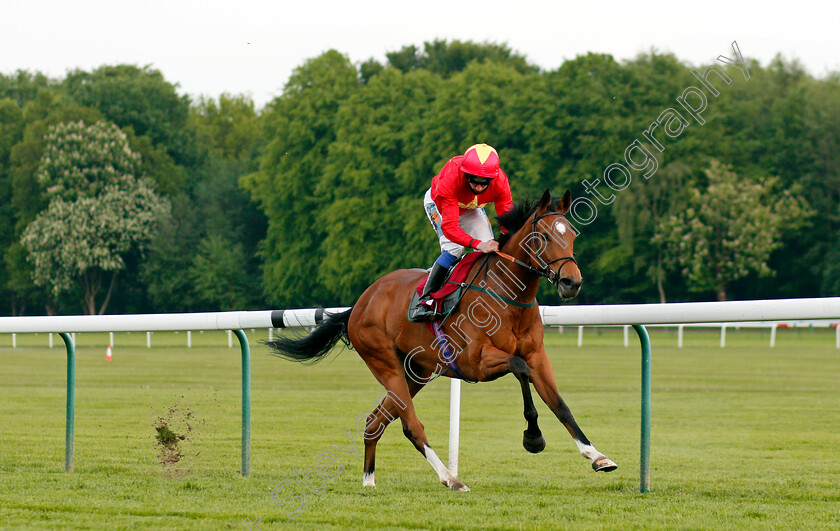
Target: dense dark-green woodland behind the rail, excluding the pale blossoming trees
[(310, 199)]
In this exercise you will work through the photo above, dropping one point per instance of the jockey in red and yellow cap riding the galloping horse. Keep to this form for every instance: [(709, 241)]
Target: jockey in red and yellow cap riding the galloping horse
[(455, 207)]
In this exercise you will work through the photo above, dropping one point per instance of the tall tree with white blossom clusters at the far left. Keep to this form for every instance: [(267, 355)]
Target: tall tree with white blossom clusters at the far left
[(98, 213)]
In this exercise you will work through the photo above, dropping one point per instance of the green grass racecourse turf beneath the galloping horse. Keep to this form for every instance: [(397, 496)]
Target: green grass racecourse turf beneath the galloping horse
[(743, 437)]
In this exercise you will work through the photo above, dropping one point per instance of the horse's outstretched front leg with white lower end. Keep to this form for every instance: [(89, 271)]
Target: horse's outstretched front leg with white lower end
[(542, 377)]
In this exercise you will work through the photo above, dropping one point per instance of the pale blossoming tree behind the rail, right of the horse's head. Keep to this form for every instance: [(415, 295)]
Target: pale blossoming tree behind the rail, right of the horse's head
[(729, 229)]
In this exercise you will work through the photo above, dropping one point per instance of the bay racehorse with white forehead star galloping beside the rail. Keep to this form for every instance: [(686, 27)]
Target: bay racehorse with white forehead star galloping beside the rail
[(495, 330)]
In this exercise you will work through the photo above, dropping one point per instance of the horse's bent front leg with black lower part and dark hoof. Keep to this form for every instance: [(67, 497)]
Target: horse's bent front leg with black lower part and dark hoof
[(495, 363)]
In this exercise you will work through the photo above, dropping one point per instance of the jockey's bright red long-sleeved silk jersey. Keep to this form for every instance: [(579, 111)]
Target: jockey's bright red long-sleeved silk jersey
[(453, 196)]
